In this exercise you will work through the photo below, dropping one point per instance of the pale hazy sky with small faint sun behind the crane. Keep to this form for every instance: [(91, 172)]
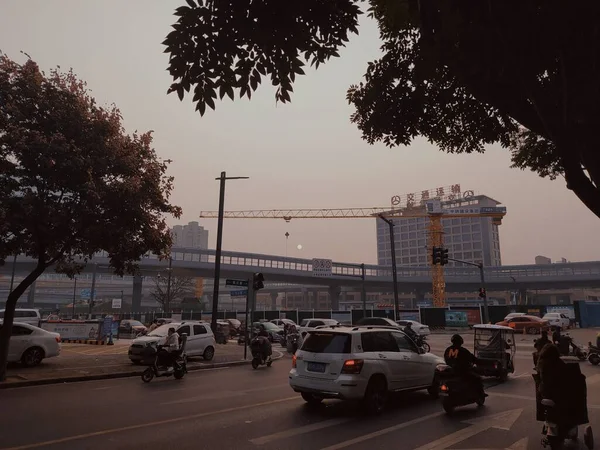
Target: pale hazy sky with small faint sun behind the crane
[(303, 155)]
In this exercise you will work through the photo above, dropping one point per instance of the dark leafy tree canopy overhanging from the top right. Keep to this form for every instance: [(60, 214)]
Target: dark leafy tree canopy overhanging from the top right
[(462, 73)]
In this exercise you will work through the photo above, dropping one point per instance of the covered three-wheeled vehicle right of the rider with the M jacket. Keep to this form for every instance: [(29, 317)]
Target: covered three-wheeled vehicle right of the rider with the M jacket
[(495, 348)]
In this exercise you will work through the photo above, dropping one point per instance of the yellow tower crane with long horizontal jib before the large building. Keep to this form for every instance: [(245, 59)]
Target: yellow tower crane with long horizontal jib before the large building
[(431, 209)]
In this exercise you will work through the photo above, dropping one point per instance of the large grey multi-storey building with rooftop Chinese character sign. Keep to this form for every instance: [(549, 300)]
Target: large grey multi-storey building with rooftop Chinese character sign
[(472, 239)]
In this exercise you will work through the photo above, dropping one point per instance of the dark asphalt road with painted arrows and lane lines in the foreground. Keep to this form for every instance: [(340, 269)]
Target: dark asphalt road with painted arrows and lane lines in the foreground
[(239, 408)]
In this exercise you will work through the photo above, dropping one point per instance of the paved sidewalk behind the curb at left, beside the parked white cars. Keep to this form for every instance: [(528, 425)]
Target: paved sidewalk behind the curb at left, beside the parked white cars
[(80, 362)]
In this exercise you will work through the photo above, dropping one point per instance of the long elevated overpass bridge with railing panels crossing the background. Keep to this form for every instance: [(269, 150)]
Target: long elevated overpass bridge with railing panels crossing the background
[(278, 269)]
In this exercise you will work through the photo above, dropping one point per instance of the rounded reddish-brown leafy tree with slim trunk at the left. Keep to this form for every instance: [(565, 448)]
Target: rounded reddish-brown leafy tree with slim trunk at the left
[(72, 182)]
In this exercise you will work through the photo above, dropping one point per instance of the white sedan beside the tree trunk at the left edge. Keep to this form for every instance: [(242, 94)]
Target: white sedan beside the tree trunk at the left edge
[(30, 345)]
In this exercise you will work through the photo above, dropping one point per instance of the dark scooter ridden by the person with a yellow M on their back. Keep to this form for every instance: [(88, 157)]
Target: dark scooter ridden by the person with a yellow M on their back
[(456, 391)]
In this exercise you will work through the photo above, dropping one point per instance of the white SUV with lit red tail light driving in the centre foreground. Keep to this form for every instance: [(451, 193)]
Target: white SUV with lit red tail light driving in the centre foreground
[(361, 363)]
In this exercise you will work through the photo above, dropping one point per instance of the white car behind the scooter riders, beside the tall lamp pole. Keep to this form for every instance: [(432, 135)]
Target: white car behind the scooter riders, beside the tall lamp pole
[(200, 341)]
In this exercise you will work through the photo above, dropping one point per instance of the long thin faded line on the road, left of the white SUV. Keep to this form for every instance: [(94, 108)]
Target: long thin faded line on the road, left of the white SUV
[(149, 424)]
